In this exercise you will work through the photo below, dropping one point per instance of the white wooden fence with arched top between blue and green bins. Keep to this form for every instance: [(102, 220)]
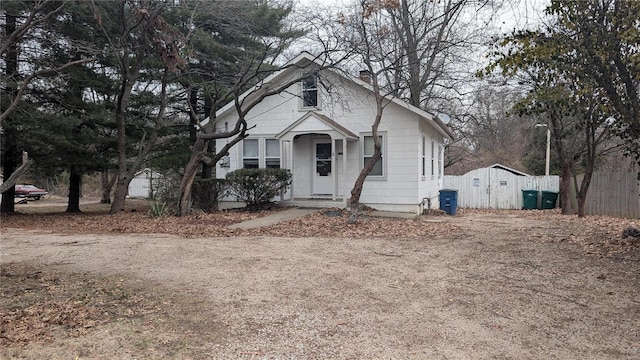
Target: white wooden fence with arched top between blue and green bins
[(496, 188)]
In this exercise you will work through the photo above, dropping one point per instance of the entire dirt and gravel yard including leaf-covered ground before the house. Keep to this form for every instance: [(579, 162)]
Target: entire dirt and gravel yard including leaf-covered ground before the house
[(480, 285)]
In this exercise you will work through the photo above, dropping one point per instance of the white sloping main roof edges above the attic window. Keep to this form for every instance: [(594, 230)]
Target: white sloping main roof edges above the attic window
[(305, 60)]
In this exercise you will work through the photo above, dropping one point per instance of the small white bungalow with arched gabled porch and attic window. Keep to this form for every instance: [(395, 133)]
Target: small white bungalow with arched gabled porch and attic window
[(320, 129)]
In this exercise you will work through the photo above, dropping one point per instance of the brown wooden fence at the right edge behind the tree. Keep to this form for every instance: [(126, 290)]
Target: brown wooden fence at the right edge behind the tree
[(613, 194)]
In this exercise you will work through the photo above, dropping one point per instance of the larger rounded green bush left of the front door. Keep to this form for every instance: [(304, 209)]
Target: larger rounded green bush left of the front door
[(257, 187)]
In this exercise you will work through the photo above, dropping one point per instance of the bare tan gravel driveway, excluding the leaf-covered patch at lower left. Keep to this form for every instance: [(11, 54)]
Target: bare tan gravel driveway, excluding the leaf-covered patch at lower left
[(503, 287)]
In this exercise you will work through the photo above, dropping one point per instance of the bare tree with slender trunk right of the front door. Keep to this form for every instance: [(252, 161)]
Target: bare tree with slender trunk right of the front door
[(409, 48)]
